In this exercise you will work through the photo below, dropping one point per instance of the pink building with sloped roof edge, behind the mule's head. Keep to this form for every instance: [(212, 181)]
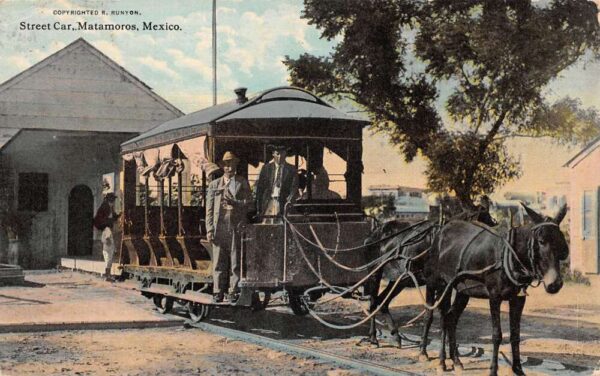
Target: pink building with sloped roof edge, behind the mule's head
[(584, 205)]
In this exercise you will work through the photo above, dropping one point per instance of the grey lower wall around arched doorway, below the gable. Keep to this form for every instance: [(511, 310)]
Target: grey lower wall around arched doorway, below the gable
[(69, 159)]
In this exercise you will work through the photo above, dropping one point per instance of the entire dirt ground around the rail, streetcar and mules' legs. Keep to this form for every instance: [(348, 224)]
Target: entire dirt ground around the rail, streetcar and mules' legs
[(560, 335)]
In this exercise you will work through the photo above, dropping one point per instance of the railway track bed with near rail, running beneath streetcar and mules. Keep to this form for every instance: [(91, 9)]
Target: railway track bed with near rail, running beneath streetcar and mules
[(279, 330)]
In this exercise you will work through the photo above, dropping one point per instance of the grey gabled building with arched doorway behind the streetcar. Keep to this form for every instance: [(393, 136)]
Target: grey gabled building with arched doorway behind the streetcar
[(61, 124)]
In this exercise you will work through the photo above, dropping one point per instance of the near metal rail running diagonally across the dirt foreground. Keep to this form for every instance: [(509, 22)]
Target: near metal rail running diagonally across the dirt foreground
[(304, 351)]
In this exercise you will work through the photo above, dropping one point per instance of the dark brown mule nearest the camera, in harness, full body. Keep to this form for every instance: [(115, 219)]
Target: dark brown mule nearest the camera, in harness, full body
[(479, 263)]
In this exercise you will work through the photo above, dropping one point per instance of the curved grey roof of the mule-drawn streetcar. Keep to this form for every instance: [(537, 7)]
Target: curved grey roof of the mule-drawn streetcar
[(278, 106)]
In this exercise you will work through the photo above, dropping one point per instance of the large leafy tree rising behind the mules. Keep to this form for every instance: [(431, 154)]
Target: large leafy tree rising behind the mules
[(495, 56)]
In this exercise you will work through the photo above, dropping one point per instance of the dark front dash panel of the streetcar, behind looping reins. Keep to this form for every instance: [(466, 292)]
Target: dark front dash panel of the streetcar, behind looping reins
[(264, 254)]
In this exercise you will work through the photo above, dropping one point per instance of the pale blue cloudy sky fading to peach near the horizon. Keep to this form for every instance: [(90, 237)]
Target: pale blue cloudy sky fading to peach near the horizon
[(253, 38)]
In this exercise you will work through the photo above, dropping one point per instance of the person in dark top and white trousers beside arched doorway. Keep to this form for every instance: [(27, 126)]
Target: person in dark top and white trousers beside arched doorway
[(104, 221)]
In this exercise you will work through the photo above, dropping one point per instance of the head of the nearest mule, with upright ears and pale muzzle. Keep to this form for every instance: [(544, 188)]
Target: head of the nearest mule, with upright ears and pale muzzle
[(549, 247)]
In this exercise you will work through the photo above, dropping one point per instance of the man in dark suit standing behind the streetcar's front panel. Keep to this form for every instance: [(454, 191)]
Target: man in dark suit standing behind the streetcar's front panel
[(277, 185)]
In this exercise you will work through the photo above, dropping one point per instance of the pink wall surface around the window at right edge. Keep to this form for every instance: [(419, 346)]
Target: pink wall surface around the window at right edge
[(585, 176)]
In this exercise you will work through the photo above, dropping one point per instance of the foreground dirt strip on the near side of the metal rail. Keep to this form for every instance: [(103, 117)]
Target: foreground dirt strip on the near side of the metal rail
[(165, 351)]
